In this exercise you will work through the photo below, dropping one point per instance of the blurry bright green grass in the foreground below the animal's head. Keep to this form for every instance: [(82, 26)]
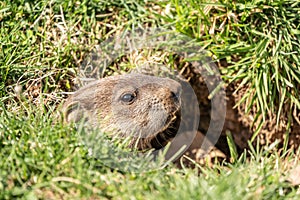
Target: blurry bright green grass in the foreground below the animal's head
[(39, 159)]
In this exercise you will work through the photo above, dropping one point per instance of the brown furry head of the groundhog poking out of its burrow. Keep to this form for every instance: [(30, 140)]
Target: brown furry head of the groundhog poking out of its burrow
[(152, 118)]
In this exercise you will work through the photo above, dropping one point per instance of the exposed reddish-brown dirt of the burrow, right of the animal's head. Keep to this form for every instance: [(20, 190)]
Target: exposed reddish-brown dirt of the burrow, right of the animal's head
[(240, 124)]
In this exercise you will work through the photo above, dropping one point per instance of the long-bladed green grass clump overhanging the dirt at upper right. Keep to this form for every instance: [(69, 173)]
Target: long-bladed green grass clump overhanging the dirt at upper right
[(260, 43)]
